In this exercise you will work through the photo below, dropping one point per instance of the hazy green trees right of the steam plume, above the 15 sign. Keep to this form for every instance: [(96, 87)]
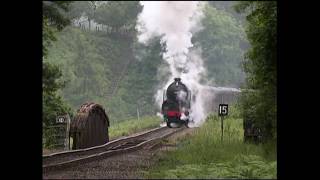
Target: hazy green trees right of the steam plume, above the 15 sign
[(223, 43)]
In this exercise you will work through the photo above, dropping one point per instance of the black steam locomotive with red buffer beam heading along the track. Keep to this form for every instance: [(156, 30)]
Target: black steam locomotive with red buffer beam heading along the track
[(176, 104)]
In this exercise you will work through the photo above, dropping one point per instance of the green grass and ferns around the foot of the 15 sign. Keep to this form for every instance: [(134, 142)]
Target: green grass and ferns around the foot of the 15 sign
[(203, 155)]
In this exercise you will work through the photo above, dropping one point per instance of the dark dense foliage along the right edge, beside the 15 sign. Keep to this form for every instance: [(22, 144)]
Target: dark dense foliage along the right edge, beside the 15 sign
[(259, 104)]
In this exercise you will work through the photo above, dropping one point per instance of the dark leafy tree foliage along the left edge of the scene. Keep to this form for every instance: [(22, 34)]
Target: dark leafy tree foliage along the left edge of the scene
[(52, 104)]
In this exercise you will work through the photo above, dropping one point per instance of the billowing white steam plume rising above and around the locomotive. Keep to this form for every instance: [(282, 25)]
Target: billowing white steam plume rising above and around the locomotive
[(175, 21)]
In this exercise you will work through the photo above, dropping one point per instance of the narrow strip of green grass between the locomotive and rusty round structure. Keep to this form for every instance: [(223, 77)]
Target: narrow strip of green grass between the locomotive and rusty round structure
[(131, 126)]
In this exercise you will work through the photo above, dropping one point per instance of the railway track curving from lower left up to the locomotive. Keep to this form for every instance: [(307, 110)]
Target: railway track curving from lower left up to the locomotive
[(62, 160)]
